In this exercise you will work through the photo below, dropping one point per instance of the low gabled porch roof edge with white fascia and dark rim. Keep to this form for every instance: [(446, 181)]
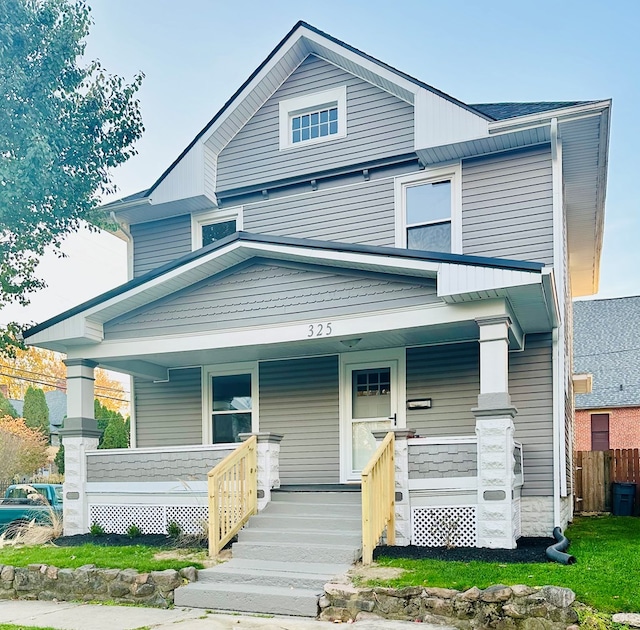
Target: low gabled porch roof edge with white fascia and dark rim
[(527, 286)]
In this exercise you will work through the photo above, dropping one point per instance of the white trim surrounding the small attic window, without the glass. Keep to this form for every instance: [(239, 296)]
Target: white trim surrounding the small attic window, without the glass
[(312, 102)]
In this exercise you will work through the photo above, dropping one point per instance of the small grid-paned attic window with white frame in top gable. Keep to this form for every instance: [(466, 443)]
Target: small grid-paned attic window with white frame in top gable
[(313, 118)]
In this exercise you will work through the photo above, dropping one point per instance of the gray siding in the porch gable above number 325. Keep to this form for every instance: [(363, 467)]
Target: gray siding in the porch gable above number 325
[(269, 294)]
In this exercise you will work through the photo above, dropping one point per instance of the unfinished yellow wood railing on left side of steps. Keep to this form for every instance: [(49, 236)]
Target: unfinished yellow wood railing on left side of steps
[(233, 494)]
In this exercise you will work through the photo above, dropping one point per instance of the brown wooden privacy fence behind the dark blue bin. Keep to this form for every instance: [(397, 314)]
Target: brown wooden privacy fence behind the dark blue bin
[(595, 471)]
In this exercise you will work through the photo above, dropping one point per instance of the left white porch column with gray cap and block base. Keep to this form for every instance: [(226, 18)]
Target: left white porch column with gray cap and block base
[(80, 434)]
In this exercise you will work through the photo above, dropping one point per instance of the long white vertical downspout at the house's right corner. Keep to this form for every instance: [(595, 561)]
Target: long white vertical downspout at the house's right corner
[(557, 348)]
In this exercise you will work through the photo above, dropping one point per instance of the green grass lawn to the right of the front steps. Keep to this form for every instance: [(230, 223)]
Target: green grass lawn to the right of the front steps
[(606, 574)]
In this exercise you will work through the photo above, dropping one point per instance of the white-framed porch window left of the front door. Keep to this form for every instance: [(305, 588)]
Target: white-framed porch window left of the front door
[(231, 402)]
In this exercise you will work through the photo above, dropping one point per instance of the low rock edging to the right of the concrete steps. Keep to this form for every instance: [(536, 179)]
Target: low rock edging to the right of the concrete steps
[(516, 607)]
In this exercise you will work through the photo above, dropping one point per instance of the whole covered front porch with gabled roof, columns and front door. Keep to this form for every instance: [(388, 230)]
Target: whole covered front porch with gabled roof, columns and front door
[(323, 345)]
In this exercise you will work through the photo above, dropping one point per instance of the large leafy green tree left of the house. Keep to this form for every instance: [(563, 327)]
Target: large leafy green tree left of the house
[(64, 125)]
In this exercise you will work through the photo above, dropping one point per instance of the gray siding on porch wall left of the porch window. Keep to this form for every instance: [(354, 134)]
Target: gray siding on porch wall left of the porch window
[(169, 414)]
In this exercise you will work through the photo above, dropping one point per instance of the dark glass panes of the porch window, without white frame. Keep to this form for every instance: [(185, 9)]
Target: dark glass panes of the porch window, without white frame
[(232, 407)]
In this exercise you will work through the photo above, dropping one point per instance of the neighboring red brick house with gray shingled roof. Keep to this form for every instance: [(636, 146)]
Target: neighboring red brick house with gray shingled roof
[(607, 345)]
